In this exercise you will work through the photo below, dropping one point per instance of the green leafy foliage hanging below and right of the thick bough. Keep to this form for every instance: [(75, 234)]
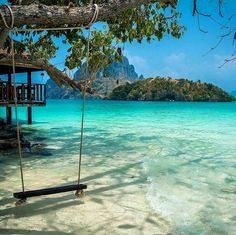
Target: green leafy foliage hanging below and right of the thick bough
[(145, 22)]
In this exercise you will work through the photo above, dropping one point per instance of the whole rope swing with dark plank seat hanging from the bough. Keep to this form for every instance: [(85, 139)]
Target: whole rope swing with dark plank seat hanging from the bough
[(22, 196)]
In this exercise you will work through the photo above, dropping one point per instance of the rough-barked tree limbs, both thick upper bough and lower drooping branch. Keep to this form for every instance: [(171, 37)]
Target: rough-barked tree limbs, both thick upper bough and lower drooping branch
[(38, 15)]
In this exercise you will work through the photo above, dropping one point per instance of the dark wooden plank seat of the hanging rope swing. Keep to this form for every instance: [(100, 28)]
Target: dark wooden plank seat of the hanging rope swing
[(49, 191)]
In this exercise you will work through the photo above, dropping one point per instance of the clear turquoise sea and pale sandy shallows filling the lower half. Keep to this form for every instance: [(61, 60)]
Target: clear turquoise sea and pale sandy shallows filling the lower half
[(151, 168)]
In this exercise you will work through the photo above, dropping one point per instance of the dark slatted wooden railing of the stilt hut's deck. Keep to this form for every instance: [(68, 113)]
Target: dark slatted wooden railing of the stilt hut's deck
[(34, 93)]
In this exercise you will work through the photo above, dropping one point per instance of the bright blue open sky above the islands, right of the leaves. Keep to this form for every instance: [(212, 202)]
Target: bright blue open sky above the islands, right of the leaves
[(185, 57)]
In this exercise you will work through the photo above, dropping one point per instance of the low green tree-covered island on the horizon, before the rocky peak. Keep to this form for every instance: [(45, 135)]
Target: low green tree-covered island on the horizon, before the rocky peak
[(168, 89)]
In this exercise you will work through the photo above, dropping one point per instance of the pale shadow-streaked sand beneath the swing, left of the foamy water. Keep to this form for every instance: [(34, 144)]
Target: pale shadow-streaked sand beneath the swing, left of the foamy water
[(115, 202)]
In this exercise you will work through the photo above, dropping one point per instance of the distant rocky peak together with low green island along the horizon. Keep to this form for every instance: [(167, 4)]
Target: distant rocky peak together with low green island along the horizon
[(121, 82)]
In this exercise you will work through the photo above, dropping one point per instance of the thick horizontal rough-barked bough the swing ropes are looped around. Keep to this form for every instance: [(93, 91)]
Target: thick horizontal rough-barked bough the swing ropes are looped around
[(54, 16)]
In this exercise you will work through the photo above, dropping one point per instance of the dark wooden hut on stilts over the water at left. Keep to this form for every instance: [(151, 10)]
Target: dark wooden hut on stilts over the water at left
[(28, 94)]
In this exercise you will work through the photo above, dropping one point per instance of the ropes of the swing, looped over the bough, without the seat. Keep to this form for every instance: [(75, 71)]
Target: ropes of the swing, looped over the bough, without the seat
[(12, 30)]
